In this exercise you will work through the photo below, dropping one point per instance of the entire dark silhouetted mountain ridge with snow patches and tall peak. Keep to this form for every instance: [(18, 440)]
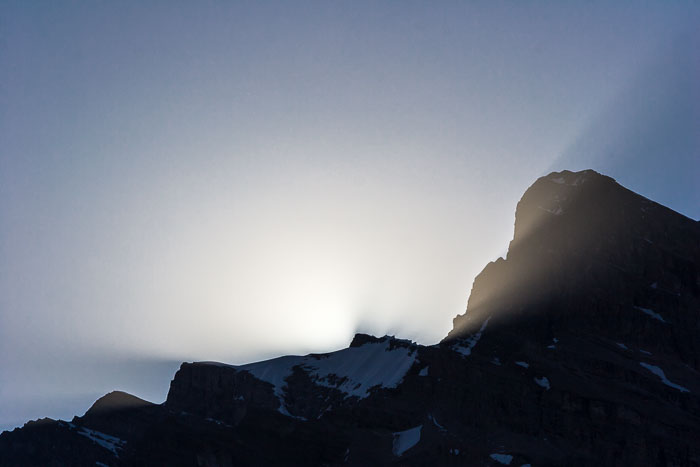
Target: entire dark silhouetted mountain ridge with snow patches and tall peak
[(582, 347)]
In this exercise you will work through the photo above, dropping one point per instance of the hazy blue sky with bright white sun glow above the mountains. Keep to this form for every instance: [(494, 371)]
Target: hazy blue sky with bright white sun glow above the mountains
[(234, 181)]
